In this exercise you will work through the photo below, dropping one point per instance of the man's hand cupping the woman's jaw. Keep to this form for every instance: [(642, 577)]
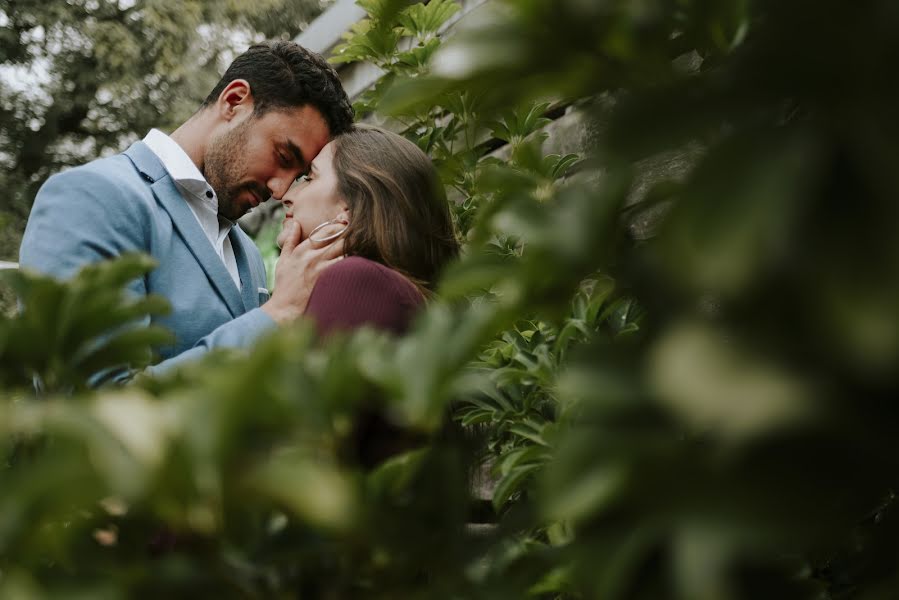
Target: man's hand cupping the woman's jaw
[(297, 271)]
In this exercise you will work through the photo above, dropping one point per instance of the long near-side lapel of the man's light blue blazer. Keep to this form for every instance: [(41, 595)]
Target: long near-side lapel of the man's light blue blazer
[(186, 224)]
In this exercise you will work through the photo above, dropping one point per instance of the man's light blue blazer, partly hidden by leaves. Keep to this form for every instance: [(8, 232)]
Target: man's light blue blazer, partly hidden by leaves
[(129, 203)]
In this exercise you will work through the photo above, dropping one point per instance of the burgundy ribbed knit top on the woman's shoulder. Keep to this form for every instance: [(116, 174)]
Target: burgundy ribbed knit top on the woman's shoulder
[(356, 292)]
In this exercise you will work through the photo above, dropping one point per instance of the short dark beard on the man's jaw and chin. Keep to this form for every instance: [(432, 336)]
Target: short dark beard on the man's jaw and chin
[(225, 171)]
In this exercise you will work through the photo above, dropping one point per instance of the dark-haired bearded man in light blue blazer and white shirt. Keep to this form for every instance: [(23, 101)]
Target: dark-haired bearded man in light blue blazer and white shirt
[(177, 198)]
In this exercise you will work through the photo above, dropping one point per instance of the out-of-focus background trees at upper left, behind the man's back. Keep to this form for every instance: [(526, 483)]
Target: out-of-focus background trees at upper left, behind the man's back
[(85, 78)]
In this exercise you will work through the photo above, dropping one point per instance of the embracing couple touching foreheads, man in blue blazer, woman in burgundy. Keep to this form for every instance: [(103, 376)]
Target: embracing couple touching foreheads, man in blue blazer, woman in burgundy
[(367, 226)]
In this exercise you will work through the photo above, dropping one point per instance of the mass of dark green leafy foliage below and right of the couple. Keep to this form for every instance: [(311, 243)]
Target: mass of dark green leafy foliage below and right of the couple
[(705, 414)]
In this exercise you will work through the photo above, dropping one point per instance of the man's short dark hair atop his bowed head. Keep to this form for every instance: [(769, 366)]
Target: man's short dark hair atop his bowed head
[(285, 75)]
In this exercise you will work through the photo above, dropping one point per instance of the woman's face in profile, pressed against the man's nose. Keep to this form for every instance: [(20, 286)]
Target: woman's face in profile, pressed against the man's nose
[(313, 199)]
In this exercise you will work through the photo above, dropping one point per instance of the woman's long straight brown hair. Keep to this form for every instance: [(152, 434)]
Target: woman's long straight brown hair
[(399, 214)]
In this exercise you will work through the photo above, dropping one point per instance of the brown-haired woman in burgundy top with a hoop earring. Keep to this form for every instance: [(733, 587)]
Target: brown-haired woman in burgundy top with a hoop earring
[(381, 194)]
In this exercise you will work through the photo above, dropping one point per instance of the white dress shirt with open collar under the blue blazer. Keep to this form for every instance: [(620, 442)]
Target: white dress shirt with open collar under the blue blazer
[(198, 194)]
